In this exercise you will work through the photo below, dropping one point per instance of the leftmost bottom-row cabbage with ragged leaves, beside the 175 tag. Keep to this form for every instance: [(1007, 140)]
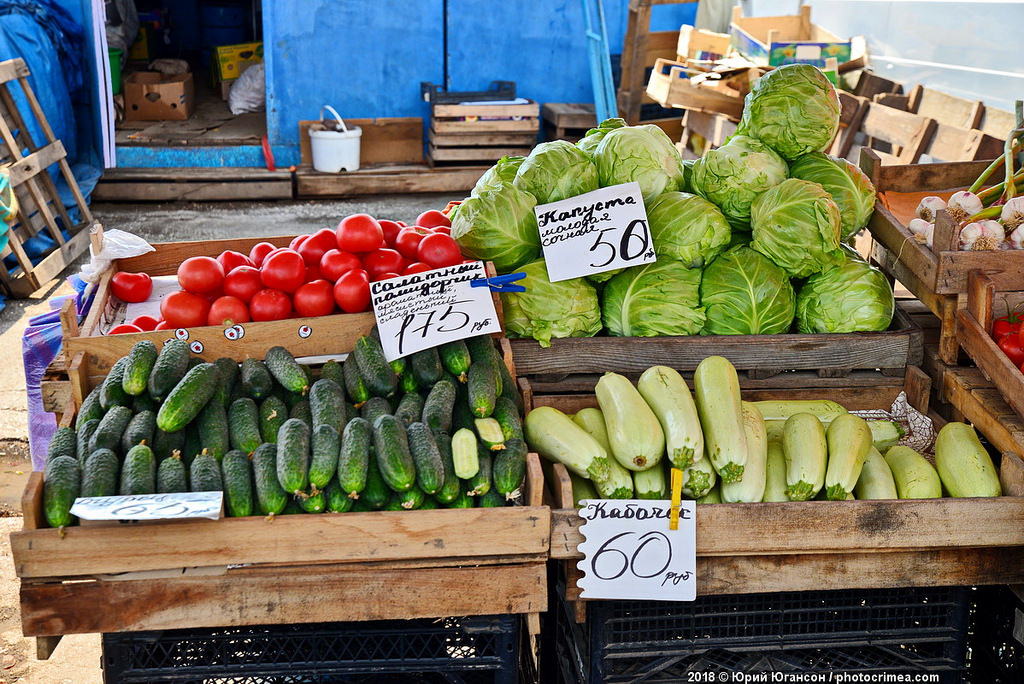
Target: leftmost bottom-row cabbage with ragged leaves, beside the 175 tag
[(546, 311)]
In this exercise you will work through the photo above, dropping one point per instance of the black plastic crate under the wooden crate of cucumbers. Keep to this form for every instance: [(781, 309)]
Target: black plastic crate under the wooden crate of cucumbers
[(456, 651)]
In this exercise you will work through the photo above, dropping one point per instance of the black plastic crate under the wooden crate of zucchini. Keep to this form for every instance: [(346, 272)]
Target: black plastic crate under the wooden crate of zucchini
[(860, 631)]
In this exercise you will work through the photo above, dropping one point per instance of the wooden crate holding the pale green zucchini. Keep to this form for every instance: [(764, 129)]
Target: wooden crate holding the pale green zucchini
[(819, 545)]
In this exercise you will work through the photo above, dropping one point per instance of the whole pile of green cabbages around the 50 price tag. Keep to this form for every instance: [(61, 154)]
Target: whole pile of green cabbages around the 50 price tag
[(751, 239)]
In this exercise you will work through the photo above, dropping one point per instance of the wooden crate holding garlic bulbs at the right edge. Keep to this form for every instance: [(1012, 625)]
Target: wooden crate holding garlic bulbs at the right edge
[(937, 277)]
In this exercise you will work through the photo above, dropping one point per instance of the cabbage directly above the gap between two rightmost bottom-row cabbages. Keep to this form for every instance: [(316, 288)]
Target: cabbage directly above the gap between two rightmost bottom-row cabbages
[(797, 226)]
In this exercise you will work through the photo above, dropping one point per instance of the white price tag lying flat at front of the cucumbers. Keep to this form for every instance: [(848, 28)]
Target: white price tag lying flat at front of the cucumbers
[(151, 506)]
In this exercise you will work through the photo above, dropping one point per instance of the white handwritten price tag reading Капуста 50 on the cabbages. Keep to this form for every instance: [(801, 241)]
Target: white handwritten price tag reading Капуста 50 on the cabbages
[(594, 233)]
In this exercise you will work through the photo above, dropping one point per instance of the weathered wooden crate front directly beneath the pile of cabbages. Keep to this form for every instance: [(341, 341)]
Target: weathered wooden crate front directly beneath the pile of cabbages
[(834, 355)]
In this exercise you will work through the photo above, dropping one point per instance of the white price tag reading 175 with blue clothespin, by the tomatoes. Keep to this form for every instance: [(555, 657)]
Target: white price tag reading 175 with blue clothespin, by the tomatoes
[(425, 310)]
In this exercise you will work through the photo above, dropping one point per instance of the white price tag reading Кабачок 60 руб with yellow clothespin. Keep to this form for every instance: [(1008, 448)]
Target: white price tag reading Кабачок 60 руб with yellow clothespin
[(630, 553)]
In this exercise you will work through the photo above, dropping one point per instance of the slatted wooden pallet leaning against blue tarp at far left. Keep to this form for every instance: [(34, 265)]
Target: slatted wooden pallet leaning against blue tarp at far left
[(40, 208)]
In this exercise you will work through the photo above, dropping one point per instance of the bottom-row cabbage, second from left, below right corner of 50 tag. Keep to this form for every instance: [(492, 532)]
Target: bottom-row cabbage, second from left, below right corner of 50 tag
[(659, 298)]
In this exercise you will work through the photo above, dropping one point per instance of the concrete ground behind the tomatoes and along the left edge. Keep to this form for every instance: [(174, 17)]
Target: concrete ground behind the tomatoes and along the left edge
[(77, 659)]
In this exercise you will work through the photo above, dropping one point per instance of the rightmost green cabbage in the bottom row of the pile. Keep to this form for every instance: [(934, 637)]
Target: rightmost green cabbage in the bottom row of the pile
[(850, 298)]
